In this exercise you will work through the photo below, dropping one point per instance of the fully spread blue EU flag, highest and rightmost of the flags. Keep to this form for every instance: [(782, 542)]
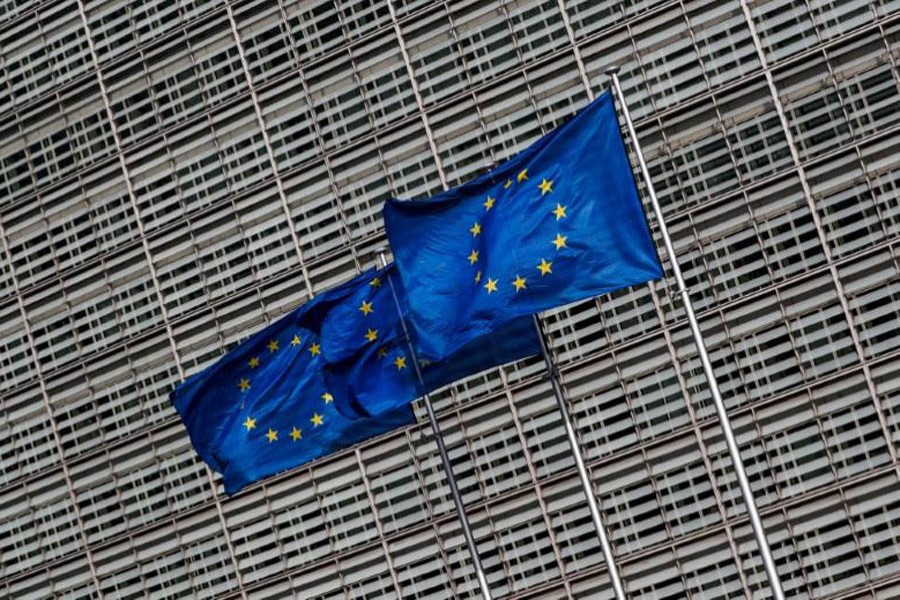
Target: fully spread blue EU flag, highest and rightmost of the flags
[(559, 222)]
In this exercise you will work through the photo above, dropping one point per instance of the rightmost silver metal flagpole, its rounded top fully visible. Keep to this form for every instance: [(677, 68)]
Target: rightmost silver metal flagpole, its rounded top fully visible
[(743, 481)]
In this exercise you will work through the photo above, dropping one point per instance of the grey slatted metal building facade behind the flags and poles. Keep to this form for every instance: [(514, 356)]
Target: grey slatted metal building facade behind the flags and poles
[(176, 174)]
